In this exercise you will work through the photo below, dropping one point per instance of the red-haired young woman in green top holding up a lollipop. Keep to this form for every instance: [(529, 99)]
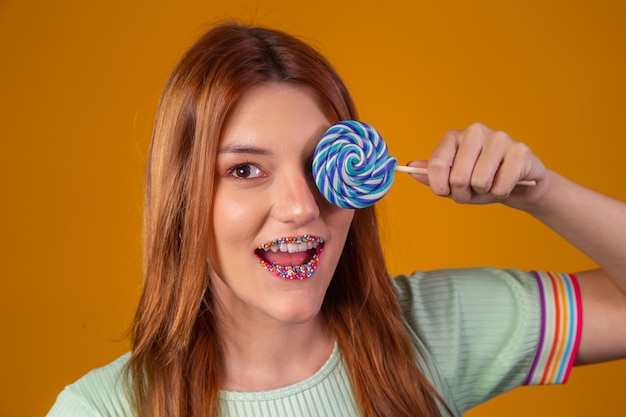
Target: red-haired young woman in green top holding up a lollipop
[(261, 298)]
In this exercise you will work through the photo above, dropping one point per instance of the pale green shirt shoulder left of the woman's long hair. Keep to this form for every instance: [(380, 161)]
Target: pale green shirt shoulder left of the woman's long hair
[(100, 392)]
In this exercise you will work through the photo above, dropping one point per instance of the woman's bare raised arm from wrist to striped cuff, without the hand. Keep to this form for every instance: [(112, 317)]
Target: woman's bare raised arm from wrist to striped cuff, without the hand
[(595, 224)]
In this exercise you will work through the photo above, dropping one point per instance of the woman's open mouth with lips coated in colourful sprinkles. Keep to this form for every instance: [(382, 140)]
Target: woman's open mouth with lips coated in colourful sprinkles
[(293, 258)]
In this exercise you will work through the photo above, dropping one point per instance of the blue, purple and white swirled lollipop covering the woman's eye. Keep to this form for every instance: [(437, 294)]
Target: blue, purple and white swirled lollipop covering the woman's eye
[(352, 167)]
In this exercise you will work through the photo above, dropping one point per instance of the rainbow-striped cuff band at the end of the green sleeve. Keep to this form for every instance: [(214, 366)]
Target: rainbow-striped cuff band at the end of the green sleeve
[(561, 323)]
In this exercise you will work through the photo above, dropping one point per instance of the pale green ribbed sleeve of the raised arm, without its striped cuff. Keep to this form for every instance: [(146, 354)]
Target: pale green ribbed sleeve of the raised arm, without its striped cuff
[(477, 328)]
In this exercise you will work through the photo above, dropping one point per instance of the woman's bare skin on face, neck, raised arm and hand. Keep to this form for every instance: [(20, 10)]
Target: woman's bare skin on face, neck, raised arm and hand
[(264, 191)]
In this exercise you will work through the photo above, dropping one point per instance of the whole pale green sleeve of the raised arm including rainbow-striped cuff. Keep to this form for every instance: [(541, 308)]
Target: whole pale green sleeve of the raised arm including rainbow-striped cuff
[(489, 330)]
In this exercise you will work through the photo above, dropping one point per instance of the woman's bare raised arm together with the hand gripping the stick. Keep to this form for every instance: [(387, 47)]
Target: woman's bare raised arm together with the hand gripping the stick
[(479, 166)]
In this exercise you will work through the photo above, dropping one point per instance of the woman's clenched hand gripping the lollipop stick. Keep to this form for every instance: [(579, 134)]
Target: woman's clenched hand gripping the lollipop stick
[(479, 165)]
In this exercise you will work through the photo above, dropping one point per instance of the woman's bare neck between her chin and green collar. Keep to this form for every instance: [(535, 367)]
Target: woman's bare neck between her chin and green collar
[(262, 356)]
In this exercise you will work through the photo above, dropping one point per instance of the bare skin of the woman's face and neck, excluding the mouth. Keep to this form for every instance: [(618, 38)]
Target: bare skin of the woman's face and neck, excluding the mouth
[(265, 191)]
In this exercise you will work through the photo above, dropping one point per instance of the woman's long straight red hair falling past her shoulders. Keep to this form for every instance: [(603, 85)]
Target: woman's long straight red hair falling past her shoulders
[(174, 370)]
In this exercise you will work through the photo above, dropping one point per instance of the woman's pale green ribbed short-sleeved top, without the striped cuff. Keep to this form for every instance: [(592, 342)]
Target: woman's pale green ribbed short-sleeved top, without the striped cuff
[(477, 333)]
